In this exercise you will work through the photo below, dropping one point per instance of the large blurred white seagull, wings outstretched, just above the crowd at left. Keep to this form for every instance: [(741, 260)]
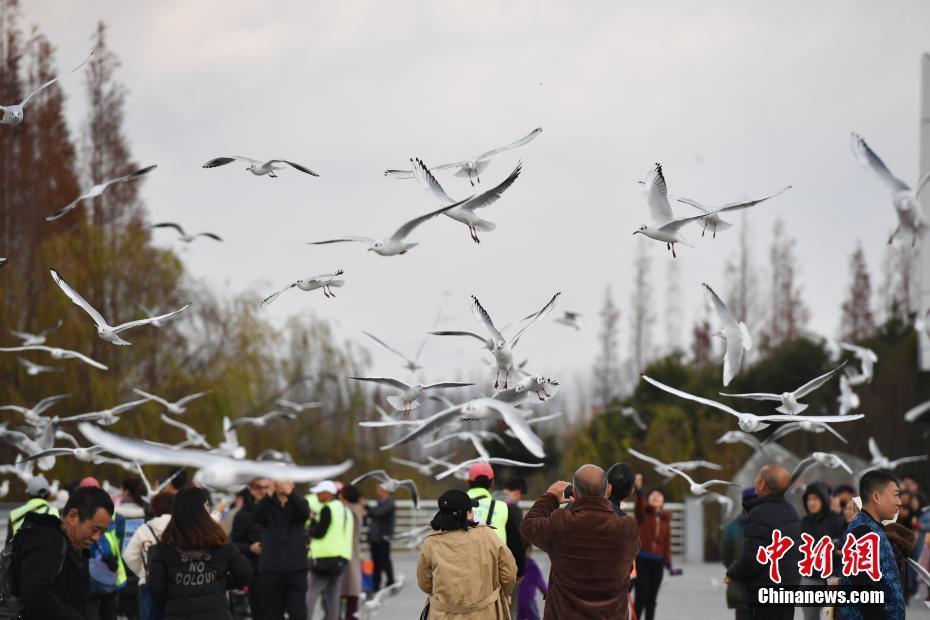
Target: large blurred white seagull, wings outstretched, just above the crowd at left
[(213, 470)]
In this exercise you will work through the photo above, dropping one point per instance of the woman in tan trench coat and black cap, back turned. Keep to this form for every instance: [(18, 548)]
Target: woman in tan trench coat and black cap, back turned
[(466, 570)]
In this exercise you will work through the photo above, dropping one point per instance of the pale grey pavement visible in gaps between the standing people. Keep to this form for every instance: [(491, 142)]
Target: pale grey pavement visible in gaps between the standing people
[(697, 590)]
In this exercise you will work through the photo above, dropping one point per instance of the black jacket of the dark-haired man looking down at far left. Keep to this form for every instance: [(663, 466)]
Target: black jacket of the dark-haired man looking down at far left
[(44, 591)]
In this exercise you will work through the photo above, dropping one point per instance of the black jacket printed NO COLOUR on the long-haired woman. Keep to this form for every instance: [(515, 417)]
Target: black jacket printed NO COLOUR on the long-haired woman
[(193, 584)]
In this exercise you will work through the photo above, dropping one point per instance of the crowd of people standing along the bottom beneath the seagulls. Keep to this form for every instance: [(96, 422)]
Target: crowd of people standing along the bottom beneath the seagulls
[(290, 554)]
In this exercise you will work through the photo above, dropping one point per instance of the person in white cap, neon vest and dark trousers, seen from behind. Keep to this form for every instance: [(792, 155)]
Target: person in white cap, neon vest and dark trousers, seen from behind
[(331, 535)]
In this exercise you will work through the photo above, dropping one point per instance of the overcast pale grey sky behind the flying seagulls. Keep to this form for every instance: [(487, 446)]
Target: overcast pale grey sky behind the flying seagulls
[(735, 99)]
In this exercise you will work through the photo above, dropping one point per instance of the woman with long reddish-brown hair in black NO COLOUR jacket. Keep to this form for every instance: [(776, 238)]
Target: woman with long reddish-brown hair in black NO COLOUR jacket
[(194, 563)]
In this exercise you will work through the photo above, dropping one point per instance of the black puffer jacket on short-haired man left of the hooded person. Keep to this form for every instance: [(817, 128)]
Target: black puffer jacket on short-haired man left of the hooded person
[(764, 515)]
